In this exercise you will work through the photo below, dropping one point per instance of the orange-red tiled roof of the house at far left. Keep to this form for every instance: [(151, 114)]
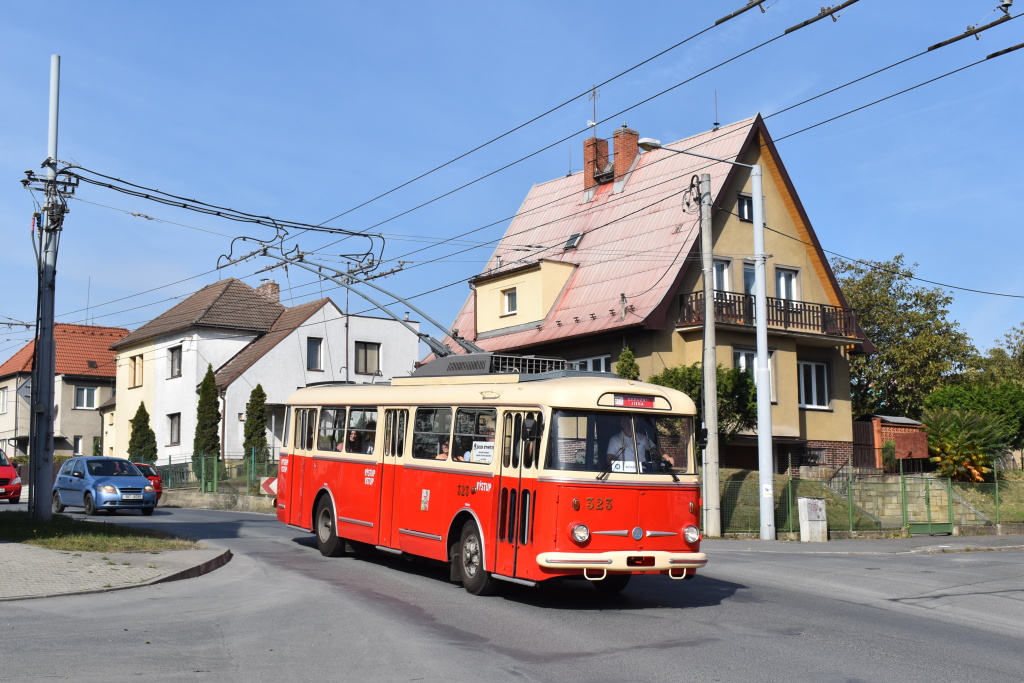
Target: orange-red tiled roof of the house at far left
[(82, 351)]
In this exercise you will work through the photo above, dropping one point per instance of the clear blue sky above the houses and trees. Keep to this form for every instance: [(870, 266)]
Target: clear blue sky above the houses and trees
[(305, 111)]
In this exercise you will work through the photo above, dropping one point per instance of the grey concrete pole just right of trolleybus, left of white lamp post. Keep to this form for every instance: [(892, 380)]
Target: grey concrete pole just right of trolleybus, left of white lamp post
[(713, 494)]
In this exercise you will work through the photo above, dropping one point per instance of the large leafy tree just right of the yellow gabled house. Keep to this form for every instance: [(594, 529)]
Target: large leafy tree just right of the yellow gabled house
[(919, 349)]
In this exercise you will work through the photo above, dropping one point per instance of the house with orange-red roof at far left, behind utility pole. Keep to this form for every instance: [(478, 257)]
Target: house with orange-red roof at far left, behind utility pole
[(84, 379)]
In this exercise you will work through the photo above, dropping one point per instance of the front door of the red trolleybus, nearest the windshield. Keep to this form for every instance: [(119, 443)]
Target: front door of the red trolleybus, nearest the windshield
[(518, 491)]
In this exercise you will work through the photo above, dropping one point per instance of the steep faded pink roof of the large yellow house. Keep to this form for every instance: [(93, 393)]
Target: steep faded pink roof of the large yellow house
[(635, 243)]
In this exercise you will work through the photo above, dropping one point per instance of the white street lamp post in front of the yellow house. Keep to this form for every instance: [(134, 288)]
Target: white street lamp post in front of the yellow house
[(765, 466)]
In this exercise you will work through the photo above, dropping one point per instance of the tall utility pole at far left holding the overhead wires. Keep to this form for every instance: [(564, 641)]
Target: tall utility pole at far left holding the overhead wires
[(41, 454)]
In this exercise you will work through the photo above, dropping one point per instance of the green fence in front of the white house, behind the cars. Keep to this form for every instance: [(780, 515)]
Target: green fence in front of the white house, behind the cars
[(234, 474)]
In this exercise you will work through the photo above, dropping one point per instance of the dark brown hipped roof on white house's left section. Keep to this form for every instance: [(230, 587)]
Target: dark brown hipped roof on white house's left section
[(227, 305)]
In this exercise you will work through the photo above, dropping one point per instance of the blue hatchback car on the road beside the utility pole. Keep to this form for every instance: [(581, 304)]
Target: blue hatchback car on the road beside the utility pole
[(103, 484)]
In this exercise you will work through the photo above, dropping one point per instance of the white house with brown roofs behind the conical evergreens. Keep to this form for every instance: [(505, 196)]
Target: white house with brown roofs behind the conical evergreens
[(249, 338)]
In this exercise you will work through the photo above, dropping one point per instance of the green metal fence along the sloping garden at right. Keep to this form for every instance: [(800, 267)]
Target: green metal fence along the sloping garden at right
[(858, 502)]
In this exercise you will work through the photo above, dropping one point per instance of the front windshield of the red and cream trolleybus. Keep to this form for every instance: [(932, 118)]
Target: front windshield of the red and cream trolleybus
[(621, 443)]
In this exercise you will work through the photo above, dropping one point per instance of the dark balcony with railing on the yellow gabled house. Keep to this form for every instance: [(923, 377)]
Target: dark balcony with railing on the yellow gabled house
[(800, 317)]
